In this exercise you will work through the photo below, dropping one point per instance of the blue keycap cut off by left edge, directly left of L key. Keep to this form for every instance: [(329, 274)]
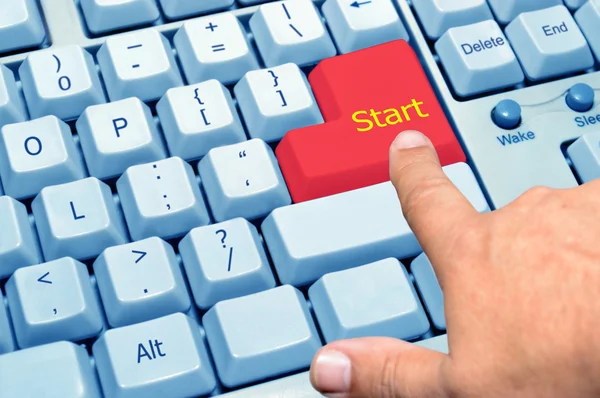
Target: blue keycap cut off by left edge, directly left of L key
[(19, 246)]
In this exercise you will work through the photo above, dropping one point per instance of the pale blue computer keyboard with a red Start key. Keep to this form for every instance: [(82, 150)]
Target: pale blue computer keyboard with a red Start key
[(196, 193)]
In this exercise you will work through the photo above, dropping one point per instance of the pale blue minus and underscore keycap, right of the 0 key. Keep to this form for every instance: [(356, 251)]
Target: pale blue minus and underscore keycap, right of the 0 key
[(138, 64)]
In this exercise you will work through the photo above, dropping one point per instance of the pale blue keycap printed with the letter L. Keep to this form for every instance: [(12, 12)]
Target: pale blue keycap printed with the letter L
[(78, 219)]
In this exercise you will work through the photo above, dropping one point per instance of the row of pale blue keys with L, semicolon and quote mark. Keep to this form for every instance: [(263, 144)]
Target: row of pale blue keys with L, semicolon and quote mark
[(80, 218)]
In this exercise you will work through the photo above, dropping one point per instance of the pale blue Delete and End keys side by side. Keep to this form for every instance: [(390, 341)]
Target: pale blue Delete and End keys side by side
[(548, 43)]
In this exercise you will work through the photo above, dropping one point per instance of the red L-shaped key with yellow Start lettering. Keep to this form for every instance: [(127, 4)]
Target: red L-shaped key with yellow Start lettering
[(367, 98)]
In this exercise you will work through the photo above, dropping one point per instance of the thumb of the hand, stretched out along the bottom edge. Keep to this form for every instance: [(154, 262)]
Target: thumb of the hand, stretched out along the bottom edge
[(378, 367)]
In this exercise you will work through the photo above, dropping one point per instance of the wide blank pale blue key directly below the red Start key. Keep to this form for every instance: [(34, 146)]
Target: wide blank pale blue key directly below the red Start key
[(310, 239)]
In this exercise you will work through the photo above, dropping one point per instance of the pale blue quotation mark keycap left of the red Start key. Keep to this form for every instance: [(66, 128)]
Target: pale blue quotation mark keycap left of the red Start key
[(243, 180)]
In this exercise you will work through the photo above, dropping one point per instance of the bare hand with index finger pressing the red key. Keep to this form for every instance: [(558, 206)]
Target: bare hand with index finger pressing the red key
[(521, 289)]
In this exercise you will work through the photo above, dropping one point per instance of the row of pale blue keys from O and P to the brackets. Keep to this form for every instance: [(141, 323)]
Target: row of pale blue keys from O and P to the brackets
[(117, 135)]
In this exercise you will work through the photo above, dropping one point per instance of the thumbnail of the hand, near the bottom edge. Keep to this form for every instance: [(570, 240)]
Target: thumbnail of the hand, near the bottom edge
[(332, 373)]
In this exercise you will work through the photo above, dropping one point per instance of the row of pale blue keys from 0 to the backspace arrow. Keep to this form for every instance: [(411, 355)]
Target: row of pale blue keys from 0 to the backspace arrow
[(64, 81)]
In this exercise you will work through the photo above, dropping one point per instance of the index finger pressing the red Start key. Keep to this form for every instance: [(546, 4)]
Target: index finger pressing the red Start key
[(432, 205)]
